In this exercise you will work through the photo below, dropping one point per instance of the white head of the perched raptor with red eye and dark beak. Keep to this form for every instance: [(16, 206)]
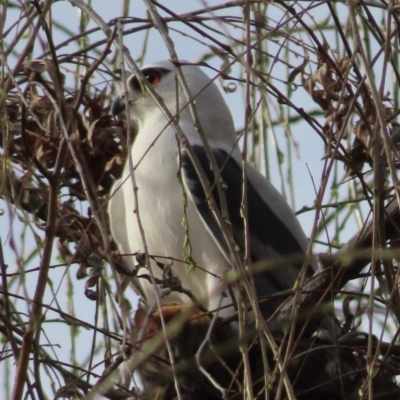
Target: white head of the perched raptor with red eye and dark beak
[(210, 105)]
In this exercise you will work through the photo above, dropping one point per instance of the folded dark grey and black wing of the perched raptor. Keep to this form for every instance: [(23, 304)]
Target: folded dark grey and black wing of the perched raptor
[(273, 227)]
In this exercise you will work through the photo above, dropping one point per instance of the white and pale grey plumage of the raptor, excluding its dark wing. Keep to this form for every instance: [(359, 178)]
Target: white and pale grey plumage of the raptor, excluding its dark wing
[(161, 199)]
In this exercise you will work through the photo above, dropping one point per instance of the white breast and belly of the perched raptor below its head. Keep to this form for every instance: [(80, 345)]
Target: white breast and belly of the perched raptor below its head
[(162, 212)]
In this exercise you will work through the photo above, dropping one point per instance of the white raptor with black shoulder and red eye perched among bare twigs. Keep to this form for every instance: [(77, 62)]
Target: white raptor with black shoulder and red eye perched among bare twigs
[(180, 227)]
